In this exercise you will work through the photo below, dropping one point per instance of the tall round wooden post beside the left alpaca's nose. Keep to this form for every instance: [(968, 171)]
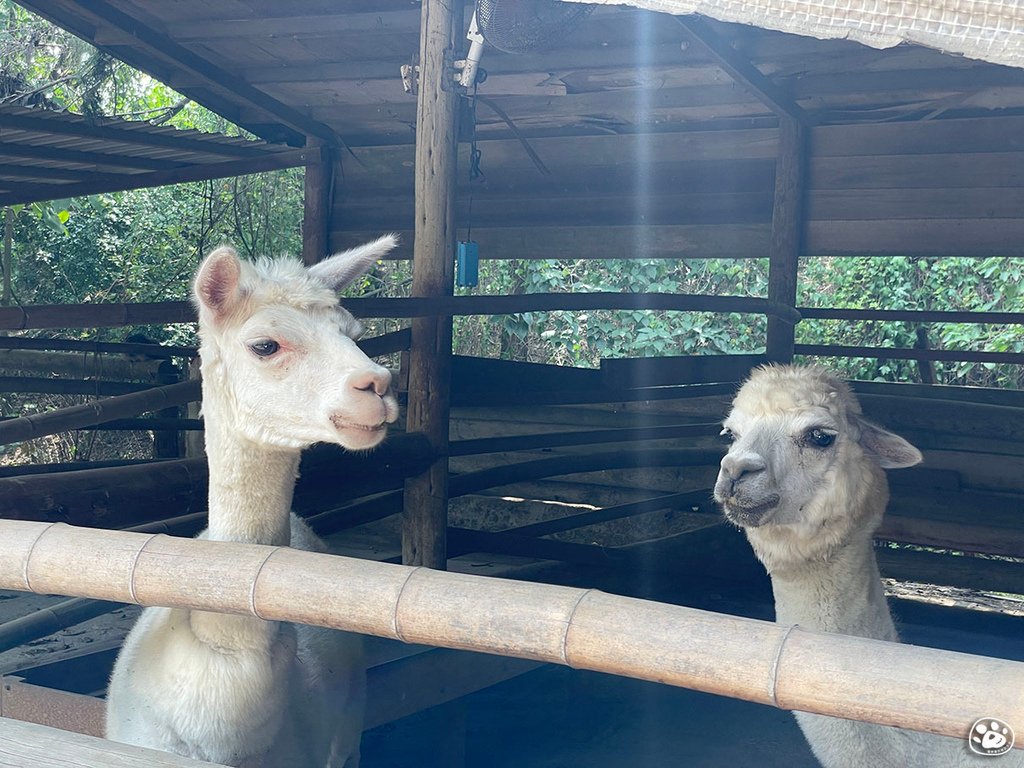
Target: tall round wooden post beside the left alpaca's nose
[(425, 516)]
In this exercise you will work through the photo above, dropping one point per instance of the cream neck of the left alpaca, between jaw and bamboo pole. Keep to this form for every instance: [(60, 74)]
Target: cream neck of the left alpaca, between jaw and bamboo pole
[(251, 488)]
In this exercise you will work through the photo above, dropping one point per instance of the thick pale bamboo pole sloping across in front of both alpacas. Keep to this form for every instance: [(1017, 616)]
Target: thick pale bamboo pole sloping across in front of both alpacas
[(778, 665)]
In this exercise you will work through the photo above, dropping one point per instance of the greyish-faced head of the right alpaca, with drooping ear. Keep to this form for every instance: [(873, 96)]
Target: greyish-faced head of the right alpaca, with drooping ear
[(804, 474)]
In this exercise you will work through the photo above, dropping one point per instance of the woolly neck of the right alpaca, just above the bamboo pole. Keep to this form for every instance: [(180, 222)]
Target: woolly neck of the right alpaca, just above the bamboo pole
[(842, 593)]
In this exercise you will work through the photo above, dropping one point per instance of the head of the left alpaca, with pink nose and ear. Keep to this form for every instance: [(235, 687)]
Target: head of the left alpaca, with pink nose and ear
[(280, 361)]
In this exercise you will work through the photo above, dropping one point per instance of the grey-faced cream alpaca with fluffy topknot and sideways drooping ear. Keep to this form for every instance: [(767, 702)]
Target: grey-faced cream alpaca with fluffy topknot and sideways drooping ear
[(805, 480)]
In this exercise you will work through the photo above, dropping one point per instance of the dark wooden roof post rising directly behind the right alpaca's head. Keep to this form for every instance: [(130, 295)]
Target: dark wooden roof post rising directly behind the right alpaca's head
[(787, 229)]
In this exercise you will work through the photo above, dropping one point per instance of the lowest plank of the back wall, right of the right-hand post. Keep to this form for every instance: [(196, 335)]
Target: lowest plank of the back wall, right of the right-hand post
[(916, 238)]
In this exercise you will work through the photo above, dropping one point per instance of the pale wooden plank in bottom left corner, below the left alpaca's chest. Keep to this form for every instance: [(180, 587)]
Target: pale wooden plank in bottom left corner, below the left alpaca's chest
[(31, 746)]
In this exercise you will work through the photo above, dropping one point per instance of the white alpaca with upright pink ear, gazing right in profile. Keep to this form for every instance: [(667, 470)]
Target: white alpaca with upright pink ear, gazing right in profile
[(281, 371)]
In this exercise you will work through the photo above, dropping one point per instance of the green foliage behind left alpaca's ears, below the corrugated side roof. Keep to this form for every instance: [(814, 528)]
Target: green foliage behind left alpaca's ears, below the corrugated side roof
[(144, 246)]
